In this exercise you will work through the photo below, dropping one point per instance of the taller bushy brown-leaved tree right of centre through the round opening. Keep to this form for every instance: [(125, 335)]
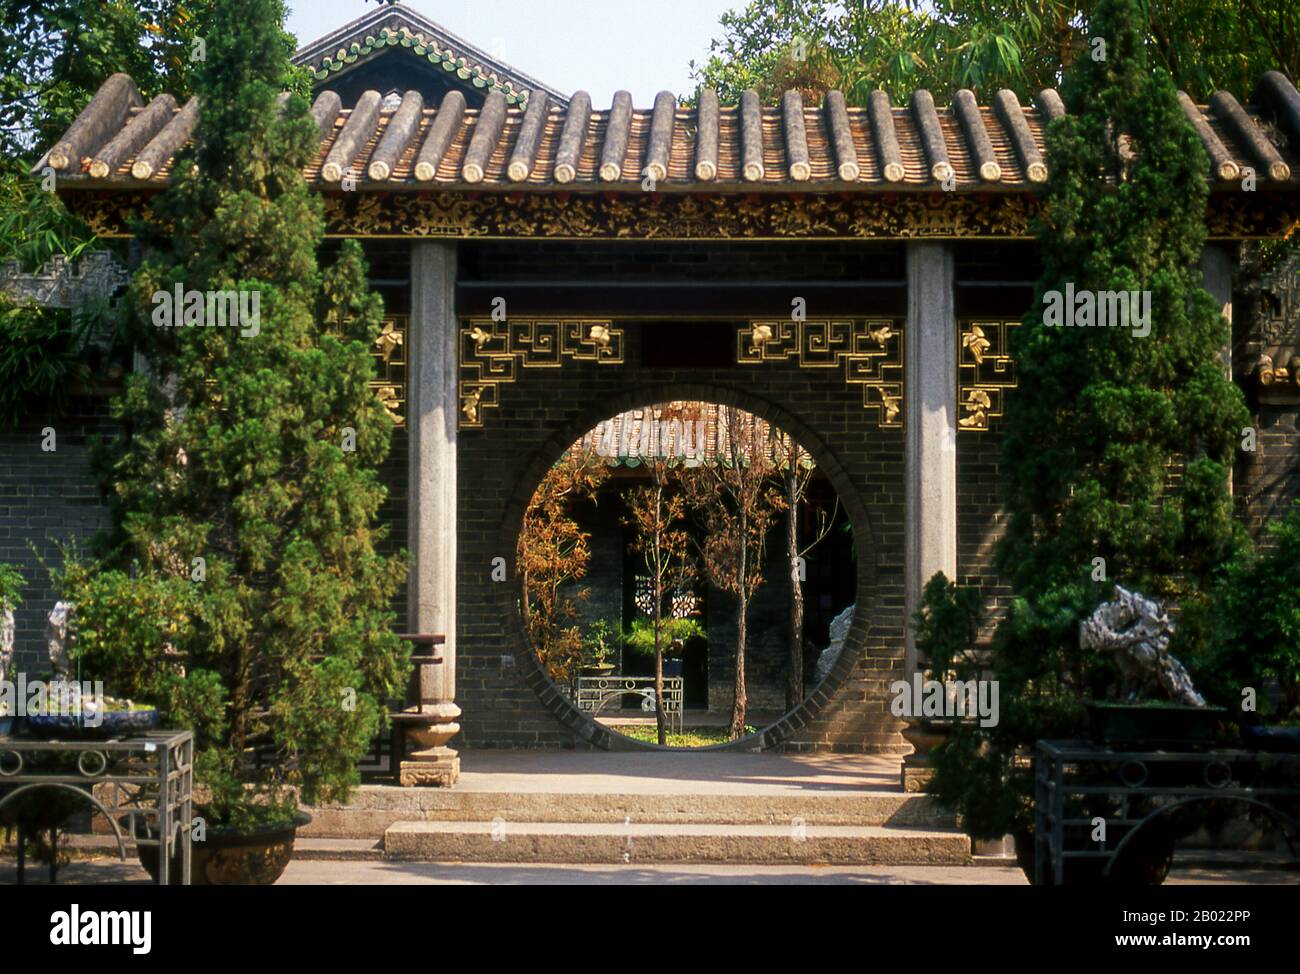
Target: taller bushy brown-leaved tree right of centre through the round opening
[(738, 507)]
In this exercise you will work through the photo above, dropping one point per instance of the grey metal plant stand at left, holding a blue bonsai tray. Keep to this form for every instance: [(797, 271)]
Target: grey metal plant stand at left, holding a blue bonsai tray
[(145, 781)]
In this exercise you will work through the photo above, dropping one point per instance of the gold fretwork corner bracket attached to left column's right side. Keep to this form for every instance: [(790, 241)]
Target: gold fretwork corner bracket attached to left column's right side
[(492, 353)]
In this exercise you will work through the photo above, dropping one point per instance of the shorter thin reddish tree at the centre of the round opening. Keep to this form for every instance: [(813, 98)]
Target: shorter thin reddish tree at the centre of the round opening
[(657, 514)]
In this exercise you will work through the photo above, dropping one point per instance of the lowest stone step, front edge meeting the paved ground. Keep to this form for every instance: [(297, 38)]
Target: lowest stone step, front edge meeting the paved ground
[(587, 843)]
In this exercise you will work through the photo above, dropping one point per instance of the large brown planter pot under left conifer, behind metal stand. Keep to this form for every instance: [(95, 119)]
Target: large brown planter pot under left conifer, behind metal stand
[(233, 858)]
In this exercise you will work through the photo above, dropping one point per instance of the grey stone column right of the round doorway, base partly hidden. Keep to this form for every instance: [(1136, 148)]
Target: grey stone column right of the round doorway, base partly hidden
[(930, 449)]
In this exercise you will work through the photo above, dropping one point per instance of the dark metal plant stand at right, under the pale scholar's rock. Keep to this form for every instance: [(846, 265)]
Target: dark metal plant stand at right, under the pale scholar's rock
[(1077, 782)]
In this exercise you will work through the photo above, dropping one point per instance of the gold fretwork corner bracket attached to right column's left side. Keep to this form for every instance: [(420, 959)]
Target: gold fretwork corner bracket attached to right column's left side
[(869, 350)]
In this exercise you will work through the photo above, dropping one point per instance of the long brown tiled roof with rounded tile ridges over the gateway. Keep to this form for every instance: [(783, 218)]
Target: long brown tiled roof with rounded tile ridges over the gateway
[(747, 148)]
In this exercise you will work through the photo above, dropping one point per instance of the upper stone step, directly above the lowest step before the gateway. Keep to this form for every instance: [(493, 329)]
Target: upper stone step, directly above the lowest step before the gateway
[(376, 808)]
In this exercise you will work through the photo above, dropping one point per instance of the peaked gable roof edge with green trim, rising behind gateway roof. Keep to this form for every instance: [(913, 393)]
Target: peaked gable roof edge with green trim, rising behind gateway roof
[(396, 27)]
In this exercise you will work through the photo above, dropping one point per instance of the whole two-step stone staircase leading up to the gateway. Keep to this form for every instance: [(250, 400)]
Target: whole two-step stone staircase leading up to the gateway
[(463, 825)]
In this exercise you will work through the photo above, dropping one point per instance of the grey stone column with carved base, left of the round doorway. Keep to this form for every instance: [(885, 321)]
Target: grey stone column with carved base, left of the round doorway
[(432, 413)]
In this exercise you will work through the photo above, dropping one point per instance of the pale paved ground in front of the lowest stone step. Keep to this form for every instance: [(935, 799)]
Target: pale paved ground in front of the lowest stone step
[(336, 873)]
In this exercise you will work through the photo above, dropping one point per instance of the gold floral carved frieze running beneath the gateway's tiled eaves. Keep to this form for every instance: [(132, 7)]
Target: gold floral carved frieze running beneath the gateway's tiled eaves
[(697, 217)]
